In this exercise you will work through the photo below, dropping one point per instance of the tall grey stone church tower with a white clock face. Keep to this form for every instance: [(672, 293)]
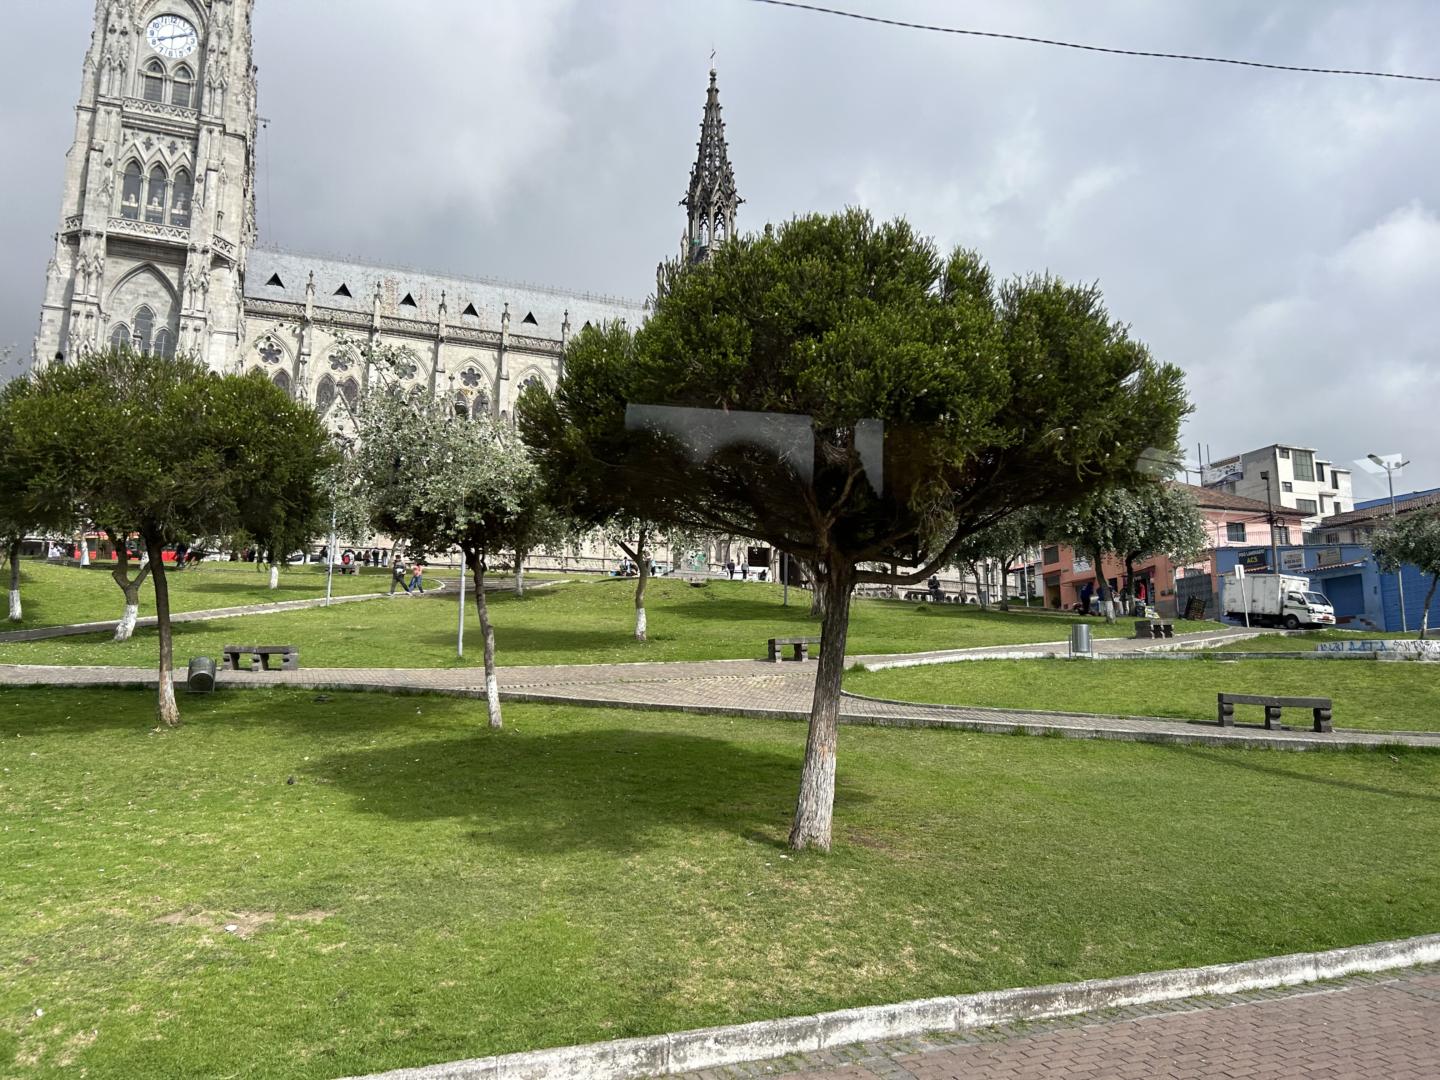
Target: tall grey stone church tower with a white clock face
[(159, 207)]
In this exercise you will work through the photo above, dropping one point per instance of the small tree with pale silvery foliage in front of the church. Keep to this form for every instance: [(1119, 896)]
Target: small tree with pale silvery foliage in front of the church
[(440, 482)]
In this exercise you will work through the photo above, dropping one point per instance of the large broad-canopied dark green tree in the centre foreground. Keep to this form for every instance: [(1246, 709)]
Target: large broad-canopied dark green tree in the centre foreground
[(840, 391)]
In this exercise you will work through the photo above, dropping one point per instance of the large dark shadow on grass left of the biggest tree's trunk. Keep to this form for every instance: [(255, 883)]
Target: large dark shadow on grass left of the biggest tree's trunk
[(613, 790)]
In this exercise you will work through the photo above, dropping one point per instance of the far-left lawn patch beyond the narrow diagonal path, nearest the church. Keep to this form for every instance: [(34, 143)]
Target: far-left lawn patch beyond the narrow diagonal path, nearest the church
[(60, 595)]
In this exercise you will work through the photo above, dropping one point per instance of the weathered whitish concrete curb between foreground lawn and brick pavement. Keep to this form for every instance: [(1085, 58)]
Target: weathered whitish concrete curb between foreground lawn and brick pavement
[(688, 1052)]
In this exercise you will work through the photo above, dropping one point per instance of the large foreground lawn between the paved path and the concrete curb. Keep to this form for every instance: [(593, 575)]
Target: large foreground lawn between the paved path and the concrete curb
[(428, 891)]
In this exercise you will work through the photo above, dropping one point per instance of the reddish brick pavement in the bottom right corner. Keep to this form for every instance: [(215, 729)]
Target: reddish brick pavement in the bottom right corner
[(1369, 1027)]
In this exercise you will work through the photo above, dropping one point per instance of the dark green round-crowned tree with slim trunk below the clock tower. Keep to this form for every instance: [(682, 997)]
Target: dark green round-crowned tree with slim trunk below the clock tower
[(162, 449)]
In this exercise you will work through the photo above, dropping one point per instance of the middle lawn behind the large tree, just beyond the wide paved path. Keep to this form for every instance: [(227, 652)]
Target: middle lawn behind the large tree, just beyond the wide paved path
[(581, 623)]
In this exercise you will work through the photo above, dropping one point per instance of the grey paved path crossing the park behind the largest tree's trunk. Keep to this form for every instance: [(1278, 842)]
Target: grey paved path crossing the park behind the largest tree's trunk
[(734, 688)]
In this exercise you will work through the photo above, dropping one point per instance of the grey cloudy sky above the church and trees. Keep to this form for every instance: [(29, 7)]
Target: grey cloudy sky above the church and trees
[(1277, 235)]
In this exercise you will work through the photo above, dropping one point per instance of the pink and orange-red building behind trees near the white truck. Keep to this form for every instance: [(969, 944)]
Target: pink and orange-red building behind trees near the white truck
[(1230, 521)]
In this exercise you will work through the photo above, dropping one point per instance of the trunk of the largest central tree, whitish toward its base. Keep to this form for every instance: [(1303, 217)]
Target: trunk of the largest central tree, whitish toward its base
[(816, 806)]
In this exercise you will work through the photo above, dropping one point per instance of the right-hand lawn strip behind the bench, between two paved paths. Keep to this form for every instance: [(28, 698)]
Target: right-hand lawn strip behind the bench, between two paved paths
[(1369, 695)]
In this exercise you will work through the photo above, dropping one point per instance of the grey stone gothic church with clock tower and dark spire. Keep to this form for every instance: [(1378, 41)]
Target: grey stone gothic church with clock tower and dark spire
[(158, 243)]
